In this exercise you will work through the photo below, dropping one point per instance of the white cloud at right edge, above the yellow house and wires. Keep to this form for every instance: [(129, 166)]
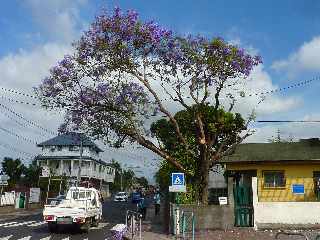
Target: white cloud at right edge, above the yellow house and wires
[(306, 58)]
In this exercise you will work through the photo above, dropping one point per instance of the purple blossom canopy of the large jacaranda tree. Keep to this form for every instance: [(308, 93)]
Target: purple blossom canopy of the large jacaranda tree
[(115, 48)]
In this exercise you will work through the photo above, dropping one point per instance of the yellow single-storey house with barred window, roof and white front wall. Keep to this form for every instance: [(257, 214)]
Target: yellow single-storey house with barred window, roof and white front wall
[(283, 182)]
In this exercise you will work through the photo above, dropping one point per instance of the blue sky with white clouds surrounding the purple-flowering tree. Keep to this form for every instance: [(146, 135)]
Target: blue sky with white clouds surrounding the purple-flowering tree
[(35, 34)]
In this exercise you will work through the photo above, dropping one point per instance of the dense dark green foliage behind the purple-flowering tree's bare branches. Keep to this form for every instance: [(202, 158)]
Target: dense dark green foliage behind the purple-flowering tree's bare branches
[(219, 125)]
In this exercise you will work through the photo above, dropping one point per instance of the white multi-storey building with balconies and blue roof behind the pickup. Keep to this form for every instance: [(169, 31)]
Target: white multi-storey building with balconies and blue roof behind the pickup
[(62, 156)]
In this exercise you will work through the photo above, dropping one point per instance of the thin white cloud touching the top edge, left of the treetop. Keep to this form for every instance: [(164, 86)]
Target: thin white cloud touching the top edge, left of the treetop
[(59, 19)]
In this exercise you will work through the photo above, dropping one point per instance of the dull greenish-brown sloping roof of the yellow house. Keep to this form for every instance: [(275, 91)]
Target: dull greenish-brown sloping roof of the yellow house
[(305, 149)]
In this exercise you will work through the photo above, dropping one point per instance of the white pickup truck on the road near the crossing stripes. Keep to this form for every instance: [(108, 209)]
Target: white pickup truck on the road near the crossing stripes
[(82, 207)]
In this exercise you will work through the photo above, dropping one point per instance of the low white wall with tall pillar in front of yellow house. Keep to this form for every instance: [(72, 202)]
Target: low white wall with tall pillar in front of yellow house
[(284, 212)]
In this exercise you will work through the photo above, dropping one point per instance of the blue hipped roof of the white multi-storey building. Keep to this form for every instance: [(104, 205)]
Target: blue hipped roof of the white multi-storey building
[(70, 139)]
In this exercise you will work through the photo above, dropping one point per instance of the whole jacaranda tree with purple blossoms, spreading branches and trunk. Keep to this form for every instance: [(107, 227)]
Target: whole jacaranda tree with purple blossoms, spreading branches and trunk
[(125, 71)]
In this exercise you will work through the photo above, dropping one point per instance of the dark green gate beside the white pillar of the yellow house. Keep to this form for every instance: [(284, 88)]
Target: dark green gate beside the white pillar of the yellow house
[(243, 208)]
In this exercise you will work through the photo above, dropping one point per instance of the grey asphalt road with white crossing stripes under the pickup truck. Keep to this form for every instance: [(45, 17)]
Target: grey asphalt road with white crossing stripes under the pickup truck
[(34, 228)]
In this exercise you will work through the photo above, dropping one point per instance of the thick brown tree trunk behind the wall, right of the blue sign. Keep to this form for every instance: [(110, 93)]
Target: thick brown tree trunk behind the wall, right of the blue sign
[(203, 175)]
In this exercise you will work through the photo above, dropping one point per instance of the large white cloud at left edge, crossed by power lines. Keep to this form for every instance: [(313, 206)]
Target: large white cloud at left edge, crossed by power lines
[(23, 71)]
